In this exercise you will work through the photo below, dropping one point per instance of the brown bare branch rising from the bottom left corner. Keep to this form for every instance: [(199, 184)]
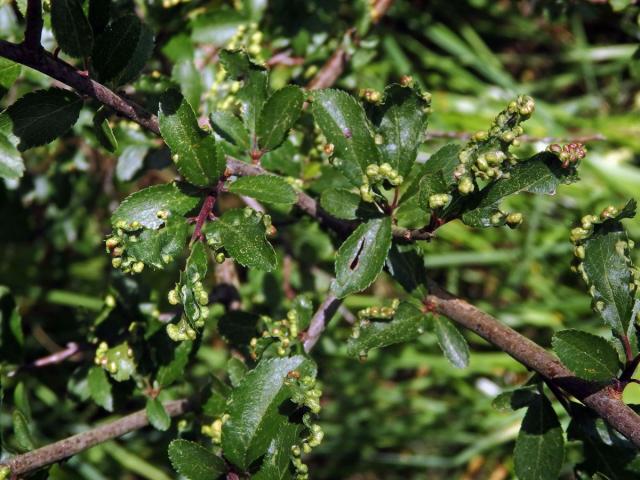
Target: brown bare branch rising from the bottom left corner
[(54, 452)]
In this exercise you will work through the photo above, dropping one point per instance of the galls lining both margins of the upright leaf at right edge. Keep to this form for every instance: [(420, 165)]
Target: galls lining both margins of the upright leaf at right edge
[(579, 235)]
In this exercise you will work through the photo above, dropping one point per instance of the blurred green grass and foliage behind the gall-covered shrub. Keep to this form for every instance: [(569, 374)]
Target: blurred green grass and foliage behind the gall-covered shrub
[(405, 412)]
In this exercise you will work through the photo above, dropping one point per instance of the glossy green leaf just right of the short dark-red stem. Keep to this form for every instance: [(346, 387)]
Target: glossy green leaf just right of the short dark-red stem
[(243, 234)]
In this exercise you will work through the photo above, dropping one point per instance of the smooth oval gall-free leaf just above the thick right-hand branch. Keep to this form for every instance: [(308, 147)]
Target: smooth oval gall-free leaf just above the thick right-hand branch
[(588, 356)]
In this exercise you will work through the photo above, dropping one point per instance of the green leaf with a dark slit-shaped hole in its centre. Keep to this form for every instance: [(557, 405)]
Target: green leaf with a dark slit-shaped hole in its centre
[(361, 257)]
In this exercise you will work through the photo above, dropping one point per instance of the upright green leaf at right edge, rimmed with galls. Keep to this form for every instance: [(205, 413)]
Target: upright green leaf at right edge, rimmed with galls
[(608, 271)]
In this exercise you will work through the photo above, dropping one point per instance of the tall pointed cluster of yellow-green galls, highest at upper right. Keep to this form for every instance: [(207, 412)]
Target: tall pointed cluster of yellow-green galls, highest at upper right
[(486, 154)]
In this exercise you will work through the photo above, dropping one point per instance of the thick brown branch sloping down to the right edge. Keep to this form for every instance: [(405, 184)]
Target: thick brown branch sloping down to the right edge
[(605, 401)]
